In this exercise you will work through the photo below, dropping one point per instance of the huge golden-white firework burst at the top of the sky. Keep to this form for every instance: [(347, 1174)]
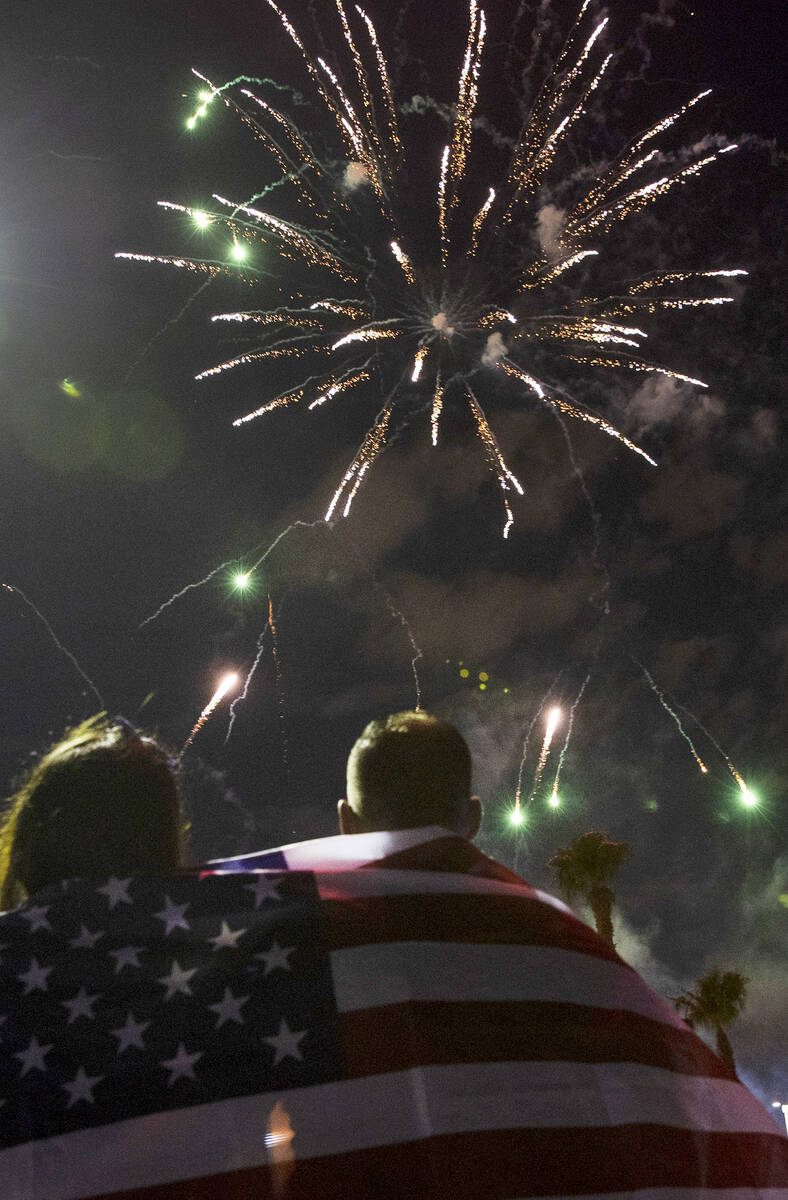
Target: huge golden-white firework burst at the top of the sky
[(440, 290)]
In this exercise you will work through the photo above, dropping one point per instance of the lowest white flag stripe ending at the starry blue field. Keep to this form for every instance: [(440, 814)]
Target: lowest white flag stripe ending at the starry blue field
[(398, 973)]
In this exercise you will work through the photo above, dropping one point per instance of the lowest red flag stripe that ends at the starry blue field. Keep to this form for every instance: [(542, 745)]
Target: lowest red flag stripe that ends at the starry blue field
[(417, 1034)]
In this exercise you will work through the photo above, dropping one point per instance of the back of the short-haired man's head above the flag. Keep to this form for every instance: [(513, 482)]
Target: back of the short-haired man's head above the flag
[(407, 771)]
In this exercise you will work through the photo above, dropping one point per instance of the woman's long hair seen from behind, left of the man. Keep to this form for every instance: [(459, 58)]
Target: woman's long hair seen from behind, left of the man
[(104, 801)]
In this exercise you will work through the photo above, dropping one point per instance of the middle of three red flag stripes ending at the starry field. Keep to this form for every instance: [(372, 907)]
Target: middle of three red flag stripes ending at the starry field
[(485, 919)]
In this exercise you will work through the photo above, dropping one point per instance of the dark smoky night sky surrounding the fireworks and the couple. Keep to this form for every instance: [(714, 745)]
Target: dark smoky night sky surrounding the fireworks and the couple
[(118, 497)]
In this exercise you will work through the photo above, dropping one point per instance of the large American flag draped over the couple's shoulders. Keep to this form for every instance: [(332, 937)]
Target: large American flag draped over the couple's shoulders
[(317, 1029)]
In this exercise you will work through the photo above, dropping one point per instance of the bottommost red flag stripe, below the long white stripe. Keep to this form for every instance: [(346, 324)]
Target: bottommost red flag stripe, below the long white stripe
[(504, 1165)]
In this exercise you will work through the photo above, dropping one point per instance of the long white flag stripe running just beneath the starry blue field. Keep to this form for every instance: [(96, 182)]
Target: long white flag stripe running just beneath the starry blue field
[(382, 1111)]
